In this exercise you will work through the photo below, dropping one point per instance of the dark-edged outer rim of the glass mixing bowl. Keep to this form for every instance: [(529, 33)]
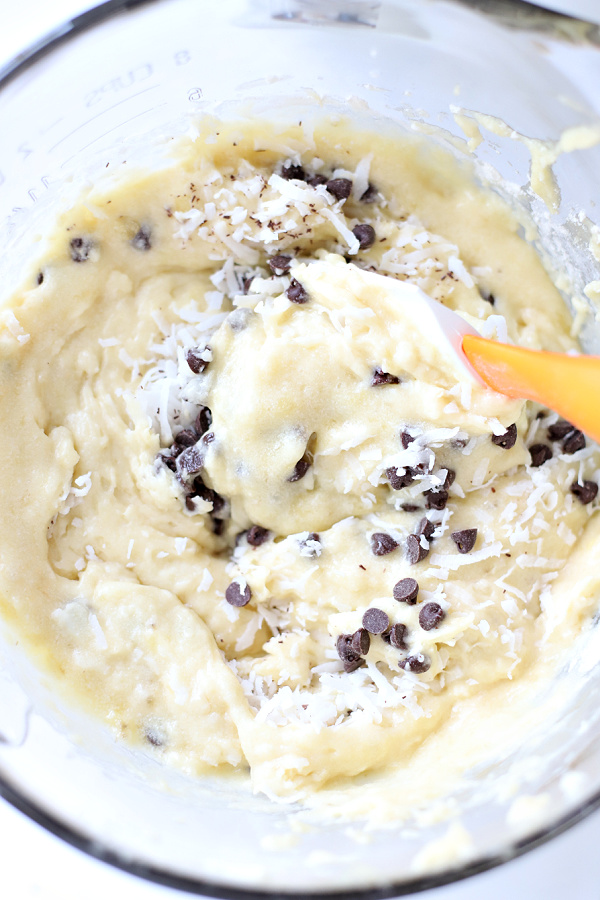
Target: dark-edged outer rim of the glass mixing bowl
[(97, 849)]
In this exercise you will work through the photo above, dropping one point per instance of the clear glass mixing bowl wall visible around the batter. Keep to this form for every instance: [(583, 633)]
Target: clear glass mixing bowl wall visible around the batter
[(114, 85)]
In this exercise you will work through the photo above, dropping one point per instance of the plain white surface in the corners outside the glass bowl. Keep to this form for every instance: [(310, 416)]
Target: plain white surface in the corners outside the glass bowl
[(36, 866)]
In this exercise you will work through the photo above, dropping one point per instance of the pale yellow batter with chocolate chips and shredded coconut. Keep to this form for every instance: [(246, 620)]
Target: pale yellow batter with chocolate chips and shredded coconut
[(252, 512)]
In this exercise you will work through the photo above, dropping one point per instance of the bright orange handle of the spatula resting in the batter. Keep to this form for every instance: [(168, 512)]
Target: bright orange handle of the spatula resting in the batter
[(570, 385)]
